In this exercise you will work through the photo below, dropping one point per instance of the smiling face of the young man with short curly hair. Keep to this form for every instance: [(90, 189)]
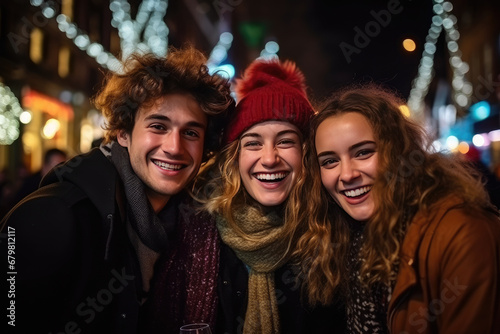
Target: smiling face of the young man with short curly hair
[(166, 145)]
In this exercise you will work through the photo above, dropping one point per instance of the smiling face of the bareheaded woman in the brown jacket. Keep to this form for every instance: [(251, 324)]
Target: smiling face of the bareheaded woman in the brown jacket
[(347, 155)]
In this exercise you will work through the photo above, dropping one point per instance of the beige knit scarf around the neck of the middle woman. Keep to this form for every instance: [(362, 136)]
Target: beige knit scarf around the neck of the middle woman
[(263, 254)]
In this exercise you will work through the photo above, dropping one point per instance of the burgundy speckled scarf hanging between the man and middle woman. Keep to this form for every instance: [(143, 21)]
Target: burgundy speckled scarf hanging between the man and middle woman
[(184, 288)]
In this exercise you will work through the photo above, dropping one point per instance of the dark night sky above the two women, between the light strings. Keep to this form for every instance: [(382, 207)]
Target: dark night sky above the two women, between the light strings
[(312, 32)]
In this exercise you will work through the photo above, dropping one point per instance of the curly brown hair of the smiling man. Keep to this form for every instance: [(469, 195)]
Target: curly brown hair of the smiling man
[(147, 77)]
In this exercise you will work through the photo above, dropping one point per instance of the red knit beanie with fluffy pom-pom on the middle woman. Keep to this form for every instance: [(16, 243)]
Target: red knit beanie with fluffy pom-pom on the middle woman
[(270, 90)]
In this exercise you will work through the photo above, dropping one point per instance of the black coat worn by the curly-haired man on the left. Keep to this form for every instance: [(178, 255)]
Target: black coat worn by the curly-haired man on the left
[(75, 268)]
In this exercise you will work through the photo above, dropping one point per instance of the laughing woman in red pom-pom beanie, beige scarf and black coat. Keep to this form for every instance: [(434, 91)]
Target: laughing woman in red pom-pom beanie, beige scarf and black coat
[(251, 192)]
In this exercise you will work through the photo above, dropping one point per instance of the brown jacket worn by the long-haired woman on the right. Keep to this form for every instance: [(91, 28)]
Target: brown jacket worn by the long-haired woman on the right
[(449, 275)]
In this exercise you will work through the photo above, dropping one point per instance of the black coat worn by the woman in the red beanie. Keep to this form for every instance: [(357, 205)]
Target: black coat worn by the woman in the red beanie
[(295, 318)]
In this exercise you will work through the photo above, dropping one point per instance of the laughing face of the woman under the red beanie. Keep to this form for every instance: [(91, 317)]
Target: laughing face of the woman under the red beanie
[(270, 160)]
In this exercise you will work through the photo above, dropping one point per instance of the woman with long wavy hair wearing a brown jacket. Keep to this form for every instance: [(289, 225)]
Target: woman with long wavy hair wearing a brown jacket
[(406, 235)]
